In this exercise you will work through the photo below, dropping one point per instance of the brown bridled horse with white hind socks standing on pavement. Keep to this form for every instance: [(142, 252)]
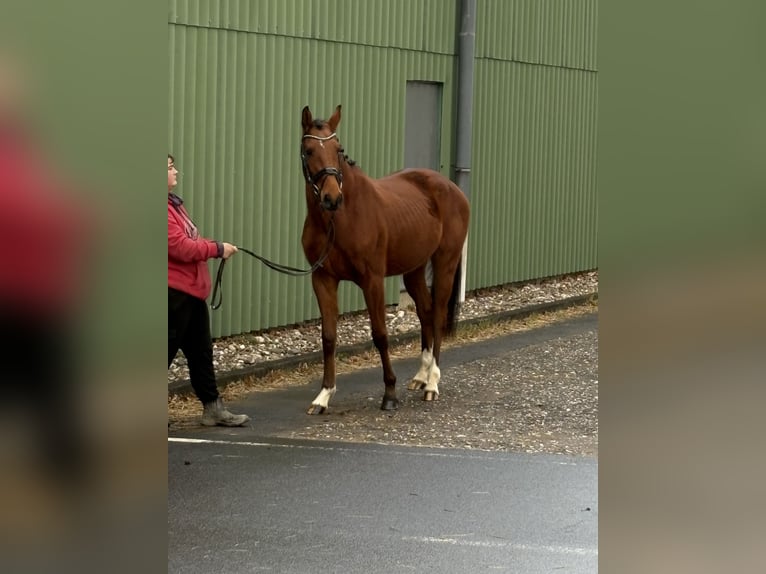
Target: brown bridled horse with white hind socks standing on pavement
[(377, 228)]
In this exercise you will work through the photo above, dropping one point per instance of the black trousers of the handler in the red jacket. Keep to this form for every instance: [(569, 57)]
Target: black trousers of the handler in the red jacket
[(189, 331)]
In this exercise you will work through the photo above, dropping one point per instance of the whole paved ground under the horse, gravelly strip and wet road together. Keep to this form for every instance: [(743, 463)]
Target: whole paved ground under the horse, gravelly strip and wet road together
[(280, 497)]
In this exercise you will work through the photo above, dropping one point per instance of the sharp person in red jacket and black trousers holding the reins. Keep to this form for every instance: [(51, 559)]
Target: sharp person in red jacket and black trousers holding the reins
[(188, 317)]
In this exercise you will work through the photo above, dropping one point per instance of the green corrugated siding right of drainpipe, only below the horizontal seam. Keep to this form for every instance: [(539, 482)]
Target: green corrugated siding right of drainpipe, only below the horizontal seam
[(537, 128)]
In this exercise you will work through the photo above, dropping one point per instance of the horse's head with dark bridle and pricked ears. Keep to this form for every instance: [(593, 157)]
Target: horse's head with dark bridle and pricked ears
[(321, 156)]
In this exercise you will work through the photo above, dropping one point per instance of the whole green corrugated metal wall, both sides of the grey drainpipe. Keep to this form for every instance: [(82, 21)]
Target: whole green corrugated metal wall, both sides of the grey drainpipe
[(241, 72)]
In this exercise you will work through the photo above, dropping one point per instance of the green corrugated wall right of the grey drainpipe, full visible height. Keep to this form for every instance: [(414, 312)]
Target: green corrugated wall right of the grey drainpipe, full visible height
[(533, 189)]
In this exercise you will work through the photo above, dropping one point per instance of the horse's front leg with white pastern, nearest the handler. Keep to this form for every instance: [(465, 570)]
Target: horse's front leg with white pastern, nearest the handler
[(326, 291)]
